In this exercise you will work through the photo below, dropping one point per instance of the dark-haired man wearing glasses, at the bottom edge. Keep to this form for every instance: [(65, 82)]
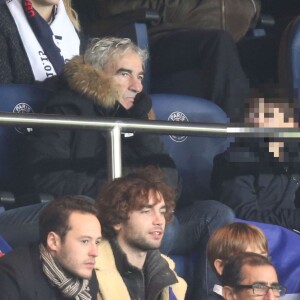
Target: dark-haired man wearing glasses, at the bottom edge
[(249, 275)]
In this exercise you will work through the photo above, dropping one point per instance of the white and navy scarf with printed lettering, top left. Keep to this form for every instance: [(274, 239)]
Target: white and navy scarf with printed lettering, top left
[(48, 46)]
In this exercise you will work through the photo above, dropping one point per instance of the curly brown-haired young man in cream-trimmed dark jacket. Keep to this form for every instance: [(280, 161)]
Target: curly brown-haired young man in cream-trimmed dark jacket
[(135, 210)]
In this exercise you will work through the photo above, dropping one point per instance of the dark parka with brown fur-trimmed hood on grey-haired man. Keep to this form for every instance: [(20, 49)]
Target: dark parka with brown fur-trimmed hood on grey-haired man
[(75, 162)]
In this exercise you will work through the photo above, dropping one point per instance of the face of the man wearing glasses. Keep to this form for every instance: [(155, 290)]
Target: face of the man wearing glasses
[(256, 274)]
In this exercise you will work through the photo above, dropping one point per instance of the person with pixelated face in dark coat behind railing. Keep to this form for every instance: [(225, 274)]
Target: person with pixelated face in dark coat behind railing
[(259, 177)]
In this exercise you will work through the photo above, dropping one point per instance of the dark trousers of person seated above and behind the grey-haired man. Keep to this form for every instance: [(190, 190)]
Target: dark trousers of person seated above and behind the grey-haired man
[(201, 63)]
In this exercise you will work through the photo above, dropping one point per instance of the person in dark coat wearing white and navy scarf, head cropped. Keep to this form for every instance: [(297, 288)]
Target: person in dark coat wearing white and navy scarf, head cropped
[(26, 55)]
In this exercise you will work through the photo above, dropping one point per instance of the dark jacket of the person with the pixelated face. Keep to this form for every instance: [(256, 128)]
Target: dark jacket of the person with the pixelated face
[(256, 185)]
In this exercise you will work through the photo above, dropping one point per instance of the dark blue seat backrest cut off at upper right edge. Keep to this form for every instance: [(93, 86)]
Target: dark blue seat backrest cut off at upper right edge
[(289, 59)]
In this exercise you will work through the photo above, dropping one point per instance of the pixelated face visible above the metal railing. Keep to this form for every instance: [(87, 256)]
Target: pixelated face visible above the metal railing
[(269, 115)]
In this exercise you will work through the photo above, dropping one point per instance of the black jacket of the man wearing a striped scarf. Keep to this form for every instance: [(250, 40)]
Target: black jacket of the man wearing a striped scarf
[(22, 277)]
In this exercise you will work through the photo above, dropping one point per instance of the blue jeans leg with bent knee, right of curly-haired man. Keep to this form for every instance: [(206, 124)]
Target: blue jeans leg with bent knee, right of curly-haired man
[(189, 232)]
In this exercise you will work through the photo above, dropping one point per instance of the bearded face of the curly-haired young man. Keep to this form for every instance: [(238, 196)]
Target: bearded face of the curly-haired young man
[(145, 227)]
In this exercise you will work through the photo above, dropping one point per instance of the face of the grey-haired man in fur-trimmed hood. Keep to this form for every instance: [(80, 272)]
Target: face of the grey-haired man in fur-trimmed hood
[(127, 71)]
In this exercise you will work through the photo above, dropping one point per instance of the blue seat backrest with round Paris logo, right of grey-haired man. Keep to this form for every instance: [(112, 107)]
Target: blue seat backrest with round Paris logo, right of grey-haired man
[(193, 155)]
